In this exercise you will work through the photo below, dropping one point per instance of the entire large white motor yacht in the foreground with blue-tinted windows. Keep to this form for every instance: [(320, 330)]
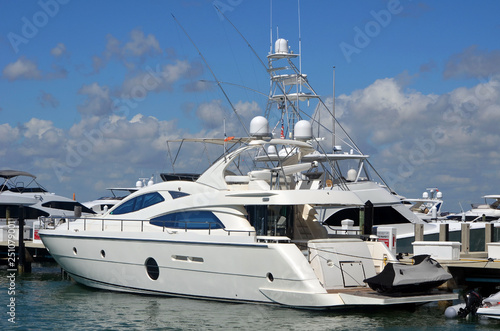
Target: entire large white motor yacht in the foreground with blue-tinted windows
[(253, 237)]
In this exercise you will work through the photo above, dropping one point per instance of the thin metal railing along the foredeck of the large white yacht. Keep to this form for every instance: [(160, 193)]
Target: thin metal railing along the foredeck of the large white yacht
[(53, 222)]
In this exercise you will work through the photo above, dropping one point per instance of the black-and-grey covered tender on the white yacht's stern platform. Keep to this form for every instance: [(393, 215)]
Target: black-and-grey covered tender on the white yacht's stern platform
[(425, 274)]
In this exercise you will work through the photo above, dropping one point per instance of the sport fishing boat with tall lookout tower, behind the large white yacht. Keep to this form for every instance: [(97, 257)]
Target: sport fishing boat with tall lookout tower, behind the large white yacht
[(344, 167)]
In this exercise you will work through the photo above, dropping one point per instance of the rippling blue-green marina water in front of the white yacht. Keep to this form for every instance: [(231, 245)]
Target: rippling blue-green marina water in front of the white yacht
[(46, 301)]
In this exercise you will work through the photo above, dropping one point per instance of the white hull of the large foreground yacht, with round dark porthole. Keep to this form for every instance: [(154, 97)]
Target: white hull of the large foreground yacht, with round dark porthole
[(257, 272)]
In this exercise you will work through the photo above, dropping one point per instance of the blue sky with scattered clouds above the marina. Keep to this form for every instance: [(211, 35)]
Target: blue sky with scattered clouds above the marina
[(91, 90)]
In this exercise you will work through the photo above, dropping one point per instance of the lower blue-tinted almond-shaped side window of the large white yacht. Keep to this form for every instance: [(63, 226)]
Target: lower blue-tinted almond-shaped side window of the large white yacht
[(196, 220)]
